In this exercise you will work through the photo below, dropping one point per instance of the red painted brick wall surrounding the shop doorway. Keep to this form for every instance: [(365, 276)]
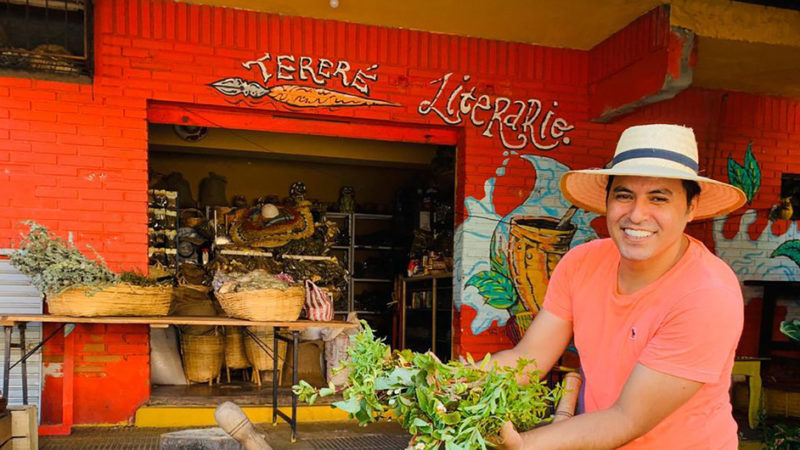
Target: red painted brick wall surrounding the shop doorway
[(74, 156)]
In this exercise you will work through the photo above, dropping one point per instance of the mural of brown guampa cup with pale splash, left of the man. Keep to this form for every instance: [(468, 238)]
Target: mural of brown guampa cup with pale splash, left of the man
[(523, 248)]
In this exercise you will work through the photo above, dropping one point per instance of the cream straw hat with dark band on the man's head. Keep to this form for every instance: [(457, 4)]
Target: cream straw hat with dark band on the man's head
[(659, 151)]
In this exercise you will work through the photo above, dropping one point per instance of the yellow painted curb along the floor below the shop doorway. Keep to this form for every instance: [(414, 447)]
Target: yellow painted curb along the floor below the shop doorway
[(203, 416)]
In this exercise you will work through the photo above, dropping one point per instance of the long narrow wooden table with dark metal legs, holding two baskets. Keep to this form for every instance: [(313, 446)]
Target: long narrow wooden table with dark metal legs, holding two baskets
[(21, 320)]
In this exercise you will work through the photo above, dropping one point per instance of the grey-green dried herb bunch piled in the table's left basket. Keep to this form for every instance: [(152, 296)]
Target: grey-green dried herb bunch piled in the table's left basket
[(55, 265)]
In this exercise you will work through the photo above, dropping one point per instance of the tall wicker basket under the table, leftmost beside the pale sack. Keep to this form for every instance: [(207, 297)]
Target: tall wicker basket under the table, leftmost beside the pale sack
[(202, 357)]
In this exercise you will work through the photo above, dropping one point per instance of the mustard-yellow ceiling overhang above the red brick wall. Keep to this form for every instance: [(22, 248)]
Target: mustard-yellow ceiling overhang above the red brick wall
[(739, 46)]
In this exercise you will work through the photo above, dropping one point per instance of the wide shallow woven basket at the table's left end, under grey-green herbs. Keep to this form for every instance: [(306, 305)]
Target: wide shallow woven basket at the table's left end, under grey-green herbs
[(119, 300)]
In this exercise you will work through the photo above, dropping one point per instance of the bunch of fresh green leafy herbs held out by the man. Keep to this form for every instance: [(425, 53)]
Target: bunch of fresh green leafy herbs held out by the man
[(456, 405)]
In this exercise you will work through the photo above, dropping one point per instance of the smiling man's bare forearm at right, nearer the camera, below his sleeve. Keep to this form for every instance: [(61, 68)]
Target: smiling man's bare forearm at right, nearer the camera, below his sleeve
[(648, 397)]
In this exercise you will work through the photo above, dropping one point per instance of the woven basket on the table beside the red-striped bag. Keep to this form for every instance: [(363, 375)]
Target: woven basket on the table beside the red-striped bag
[(264, 304)]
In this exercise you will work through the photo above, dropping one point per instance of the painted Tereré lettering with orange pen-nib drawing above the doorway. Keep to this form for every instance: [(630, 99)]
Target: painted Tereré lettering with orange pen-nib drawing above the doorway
[(321, 72)]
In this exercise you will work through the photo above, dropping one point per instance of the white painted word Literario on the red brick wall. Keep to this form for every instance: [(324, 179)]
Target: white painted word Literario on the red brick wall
[(518, 123)]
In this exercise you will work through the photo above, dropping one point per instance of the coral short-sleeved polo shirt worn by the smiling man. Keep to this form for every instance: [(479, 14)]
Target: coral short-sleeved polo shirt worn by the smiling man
[(686, 324)]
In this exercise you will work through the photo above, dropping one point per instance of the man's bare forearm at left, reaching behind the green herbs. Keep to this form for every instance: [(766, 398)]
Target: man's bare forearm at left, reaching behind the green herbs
[(544, 342)]
